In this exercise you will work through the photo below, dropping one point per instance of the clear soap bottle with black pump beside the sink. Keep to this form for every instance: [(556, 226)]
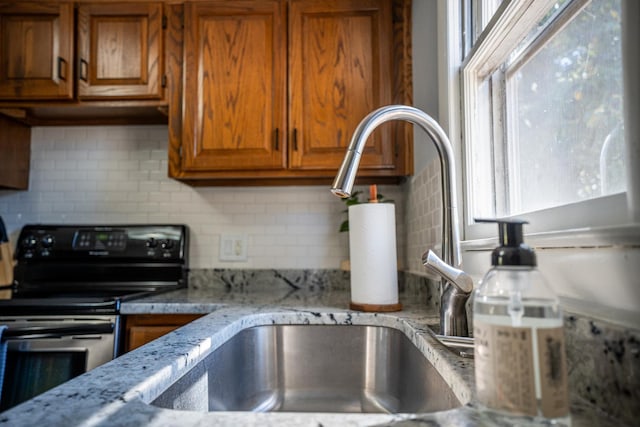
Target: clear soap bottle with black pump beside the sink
[(520, 362)]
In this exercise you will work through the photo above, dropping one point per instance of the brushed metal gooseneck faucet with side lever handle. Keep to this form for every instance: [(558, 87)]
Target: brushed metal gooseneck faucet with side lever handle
[(457, 285)]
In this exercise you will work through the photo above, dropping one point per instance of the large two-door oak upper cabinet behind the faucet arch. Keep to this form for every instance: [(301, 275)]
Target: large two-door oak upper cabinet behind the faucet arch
[(274, 90)]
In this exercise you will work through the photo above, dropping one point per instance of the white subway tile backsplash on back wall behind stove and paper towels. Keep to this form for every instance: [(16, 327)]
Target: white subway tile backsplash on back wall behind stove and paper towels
[(118, 174)]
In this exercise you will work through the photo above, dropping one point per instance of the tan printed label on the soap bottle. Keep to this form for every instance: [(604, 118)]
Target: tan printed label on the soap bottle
[(510, 361)]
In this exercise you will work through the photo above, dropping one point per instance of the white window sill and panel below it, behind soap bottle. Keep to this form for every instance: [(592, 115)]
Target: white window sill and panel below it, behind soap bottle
[(594, 271)]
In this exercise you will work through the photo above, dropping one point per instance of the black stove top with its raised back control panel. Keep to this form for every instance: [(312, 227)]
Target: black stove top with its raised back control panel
[(92, 269)]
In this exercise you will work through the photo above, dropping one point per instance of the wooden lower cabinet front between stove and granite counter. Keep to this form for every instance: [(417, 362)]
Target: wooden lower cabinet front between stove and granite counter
[(143, 328)]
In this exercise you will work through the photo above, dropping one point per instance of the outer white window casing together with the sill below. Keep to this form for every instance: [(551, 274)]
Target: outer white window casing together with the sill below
[(594, 270)]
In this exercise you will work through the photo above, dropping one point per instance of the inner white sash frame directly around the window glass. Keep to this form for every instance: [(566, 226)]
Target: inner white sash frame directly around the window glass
[(588, 222)]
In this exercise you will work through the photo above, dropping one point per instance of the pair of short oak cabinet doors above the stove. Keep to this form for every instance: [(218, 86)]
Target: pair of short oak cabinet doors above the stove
[(119, 51)]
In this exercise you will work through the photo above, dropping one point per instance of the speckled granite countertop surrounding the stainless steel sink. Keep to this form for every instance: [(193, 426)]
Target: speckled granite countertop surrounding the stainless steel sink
[(119, 392)]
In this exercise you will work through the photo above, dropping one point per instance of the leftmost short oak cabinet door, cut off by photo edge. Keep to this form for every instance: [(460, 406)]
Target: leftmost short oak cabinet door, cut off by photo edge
[(36, 50)]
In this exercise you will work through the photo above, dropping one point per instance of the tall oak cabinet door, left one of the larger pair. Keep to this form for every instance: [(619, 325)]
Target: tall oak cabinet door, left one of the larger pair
[(234, 92)]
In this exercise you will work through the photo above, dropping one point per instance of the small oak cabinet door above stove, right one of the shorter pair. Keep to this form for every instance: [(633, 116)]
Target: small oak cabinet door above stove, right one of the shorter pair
[(120, 50)]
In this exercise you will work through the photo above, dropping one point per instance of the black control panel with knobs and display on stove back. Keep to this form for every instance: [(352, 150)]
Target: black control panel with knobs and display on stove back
[(95, 242)]
